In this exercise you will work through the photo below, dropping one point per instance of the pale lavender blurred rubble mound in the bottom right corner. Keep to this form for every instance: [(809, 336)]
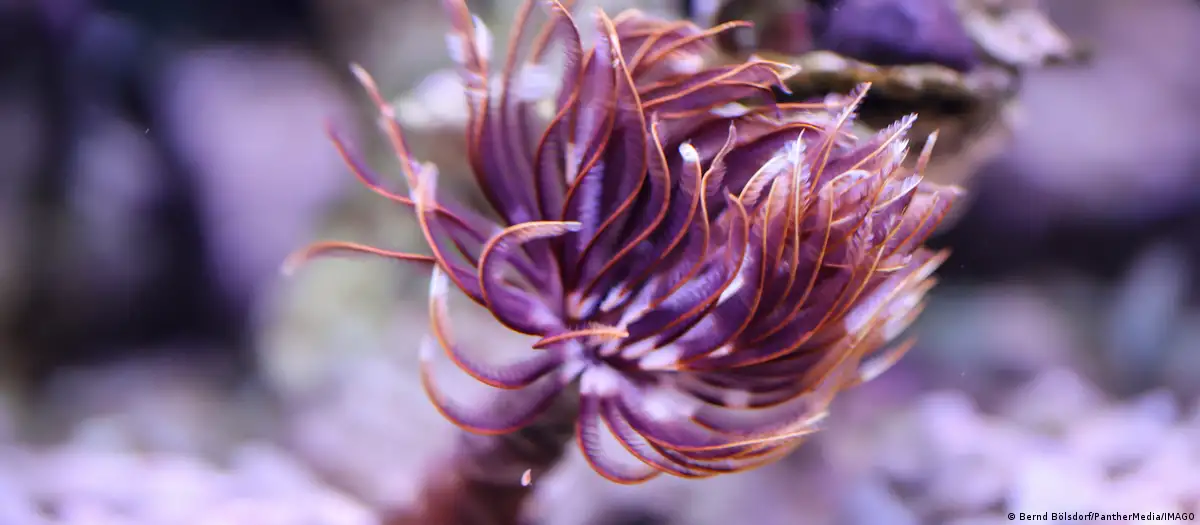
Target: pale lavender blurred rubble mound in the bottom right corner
[(946, 461)]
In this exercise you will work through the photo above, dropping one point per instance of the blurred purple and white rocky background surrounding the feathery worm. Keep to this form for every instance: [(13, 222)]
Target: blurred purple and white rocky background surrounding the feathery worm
[(160, 160)]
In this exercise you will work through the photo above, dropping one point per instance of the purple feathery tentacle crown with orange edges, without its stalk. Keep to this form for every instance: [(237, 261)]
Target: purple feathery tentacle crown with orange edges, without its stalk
[(707, 267)]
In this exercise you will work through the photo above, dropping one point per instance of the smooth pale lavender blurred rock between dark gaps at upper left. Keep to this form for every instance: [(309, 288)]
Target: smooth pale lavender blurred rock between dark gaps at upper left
[(267, 192)]
